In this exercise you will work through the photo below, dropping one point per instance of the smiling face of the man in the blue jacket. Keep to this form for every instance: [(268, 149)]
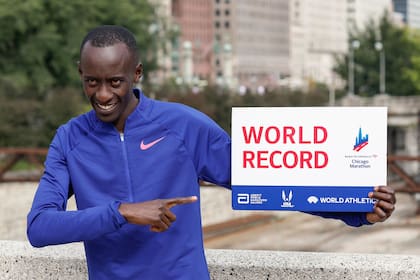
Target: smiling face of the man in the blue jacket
[(108, 75)]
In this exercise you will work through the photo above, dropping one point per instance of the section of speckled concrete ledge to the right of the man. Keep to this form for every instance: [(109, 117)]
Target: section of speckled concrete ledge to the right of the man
[(250, 265)]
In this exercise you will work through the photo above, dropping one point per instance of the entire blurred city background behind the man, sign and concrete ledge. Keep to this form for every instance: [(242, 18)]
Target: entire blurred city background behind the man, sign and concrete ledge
[(213, 55)]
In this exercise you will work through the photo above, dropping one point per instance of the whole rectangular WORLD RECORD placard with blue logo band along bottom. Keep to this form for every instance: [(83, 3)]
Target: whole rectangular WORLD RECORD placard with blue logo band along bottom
[(307, 158)]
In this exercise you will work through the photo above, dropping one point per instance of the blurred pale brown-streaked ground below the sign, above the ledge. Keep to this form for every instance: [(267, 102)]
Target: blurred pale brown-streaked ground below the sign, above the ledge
[(303, 232)]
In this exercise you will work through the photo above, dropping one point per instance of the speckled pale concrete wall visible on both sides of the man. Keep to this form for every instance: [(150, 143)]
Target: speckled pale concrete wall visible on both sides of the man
[(18, 260)]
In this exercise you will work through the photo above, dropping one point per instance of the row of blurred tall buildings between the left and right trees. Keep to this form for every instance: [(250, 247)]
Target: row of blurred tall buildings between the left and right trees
[(257, 44)]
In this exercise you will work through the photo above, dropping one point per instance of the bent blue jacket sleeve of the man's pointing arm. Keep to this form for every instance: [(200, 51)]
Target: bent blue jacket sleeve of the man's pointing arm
[(48, 222)]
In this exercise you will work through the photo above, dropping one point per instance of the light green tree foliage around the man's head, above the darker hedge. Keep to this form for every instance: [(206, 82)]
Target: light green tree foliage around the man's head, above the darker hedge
[(40, 39)]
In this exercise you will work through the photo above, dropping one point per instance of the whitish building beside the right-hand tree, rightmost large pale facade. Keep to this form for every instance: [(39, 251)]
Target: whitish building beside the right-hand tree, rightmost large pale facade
[(322, 31)]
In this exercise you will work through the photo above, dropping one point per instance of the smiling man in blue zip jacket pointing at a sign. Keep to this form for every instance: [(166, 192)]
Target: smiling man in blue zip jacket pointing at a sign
[(128, 162)]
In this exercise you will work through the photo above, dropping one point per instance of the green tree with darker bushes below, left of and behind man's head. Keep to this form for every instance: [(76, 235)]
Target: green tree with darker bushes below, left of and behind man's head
[(39, 50)]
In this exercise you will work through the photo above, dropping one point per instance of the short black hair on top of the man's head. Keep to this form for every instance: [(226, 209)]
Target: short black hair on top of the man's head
[(109, 35)]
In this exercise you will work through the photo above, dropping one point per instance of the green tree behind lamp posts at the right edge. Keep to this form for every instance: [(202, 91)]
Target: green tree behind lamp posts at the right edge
[(402, 59)]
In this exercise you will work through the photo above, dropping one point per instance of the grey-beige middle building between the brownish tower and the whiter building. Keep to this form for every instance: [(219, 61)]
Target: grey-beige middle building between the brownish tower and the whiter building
[(260, 38)]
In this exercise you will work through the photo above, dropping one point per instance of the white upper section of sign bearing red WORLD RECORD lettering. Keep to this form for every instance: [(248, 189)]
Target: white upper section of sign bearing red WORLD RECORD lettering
[(309, 146)]
